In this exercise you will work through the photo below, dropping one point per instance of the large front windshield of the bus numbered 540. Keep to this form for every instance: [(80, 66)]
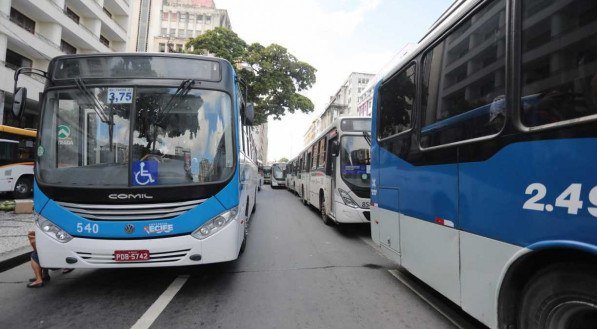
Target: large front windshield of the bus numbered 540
[(91, 138)]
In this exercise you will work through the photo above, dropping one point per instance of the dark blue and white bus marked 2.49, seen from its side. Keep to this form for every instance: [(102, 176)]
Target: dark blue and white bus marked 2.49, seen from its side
[(484, 175)]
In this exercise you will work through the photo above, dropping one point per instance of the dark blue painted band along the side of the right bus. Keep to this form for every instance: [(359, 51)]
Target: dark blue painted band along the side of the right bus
[(486, 198)]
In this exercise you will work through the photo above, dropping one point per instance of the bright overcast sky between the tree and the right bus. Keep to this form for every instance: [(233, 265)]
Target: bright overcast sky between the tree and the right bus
[(337, 37)]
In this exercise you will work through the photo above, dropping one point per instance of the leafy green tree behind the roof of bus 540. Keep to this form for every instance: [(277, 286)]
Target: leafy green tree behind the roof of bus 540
[(274, 76)]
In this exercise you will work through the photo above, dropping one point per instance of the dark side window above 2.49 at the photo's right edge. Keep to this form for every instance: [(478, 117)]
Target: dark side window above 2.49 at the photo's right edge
[(559, 84)]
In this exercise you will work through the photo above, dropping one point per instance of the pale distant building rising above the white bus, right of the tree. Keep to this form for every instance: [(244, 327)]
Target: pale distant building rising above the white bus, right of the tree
[(344, 102)]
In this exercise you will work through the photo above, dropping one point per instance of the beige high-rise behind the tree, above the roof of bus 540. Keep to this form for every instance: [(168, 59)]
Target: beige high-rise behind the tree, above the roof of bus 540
[(167, 25)]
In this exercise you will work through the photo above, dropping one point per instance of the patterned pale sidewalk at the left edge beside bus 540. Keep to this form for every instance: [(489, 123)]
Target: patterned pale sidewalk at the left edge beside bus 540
[(14, 246)]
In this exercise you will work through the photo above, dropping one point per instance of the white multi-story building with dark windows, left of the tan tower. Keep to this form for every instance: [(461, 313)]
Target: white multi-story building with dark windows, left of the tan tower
[(34, 31)]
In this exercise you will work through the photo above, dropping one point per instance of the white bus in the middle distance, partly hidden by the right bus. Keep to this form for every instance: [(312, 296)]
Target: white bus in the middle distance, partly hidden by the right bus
[(333, 172)]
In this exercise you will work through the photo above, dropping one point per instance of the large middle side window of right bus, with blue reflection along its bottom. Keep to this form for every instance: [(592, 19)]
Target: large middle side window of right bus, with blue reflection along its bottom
[(464, 80)]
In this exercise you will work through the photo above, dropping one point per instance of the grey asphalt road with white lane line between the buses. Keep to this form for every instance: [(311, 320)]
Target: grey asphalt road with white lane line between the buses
[(295, 273)]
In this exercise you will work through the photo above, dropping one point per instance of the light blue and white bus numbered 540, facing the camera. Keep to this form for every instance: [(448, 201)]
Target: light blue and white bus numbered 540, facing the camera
[(143, 160)]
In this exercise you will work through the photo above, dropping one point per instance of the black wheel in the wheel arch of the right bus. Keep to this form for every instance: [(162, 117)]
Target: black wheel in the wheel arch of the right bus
[(560, 296)]
